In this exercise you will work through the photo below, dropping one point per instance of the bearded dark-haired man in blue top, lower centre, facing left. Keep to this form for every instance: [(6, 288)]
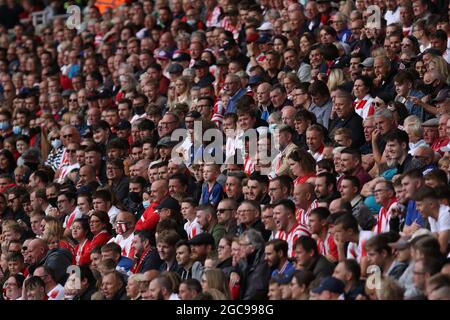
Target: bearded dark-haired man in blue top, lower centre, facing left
[(276, 256)]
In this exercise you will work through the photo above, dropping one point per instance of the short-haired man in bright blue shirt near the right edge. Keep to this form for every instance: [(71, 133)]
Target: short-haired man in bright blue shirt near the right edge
[(412, 181)]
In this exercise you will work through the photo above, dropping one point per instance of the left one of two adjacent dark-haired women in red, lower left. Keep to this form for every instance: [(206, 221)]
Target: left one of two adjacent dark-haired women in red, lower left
[(82, 234)]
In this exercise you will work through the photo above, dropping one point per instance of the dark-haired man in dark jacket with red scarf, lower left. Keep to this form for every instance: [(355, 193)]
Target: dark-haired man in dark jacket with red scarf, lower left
[(146, 257)]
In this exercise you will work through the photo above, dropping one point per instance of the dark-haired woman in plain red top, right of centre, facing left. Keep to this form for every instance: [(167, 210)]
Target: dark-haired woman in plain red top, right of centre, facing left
[(302, 165)]
